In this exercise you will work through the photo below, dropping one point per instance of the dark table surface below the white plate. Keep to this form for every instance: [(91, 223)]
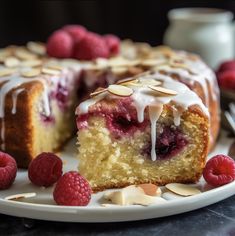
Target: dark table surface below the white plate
[(217, 219)]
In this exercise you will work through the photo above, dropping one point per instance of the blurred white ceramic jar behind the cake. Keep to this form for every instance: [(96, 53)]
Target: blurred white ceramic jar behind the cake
[(205, 31)]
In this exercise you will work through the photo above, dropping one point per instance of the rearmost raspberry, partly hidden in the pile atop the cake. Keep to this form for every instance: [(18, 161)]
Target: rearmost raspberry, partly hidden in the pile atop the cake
[(77, 32)]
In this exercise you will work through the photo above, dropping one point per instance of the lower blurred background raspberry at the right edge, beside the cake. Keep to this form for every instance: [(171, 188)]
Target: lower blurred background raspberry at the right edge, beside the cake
[(226, 79)]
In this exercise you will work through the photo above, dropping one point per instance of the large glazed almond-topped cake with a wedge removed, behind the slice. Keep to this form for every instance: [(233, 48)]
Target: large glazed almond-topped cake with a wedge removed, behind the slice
[(39, 94)]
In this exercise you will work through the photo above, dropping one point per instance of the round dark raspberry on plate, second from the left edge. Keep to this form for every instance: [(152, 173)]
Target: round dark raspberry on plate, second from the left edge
[(45, 169)]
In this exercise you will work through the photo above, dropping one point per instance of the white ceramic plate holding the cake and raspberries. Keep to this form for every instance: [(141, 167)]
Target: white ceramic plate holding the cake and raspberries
[(43, 207)]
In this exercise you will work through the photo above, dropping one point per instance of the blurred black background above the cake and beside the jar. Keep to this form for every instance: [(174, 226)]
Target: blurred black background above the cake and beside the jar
[(142, 20)]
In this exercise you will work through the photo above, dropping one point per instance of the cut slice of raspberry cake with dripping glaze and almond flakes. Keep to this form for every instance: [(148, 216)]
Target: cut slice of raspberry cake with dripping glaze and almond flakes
[(147, 128)]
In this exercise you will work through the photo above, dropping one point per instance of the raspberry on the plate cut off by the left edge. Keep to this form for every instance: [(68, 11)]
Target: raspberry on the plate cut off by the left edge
[(8, 169)]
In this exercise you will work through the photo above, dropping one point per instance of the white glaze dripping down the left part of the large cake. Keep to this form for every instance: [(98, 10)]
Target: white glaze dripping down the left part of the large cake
[(16, 82)]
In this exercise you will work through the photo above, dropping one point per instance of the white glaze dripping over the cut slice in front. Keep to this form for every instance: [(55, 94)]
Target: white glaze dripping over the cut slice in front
[(144, 97)]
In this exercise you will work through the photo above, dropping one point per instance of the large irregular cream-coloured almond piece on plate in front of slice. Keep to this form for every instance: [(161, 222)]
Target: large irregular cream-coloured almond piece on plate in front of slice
[(132, 195)]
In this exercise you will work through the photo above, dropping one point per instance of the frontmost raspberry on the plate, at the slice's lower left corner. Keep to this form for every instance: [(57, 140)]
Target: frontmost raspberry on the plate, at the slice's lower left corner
[(72, 190)]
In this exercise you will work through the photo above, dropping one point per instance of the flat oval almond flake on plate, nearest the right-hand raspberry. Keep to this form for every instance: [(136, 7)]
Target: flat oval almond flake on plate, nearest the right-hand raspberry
[(182, 189)]
